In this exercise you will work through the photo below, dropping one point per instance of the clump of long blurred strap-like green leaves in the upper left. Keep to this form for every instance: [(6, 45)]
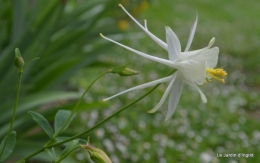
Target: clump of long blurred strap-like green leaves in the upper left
[(64, 37)]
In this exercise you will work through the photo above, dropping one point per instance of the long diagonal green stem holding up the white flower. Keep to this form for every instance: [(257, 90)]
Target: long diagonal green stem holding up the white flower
[(94, 127)]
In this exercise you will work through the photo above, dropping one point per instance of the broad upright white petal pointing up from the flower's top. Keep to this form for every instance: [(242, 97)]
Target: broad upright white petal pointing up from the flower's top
[(174, 45)]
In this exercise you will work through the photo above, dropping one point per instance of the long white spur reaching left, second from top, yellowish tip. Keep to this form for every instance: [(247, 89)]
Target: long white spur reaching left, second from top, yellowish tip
[(160, 60)]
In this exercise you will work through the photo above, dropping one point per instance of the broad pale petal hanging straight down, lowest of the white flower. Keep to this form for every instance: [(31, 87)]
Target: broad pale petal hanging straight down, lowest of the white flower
[(174, 98)]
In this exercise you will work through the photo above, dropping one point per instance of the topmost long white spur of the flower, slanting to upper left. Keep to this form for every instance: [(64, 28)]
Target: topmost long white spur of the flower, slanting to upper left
[(156, 39)]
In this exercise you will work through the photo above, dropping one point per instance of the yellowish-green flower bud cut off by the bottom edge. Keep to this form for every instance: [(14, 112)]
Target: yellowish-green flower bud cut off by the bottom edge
[(96, 154)]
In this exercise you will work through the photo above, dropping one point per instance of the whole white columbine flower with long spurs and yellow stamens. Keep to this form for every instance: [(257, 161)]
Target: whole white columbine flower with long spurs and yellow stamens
[(193, 67)]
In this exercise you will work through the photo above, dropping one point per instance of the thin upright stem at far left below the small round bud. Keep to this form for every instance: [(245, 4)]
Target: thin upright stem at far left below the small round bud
[(14, 111)]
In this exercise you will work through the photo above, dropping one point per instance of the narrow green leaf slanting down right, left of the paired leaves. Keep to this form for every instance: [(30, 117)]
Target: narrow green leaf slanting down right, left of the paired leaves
[(42, 122)]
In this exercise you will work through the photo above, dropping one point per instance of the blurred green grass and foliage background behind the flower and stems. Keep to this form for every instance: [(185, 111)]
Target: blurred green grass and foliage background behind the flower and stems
[(64, 35)]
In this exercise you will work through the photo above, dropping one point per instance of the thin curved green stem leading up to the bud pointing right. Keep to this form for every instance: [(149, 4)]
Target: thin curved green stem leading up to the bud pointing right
[(75, 108)]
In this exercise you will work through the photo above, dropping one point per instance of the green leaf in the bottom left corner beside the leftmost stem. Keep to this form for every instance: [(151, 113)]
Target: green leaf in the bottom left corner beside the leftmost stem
[(9, 146)]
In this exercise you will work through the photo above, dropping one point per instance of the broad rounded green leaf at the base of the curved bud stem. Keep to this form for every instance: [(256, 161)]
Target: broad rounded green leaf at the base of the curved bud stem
[(60, 119)]
